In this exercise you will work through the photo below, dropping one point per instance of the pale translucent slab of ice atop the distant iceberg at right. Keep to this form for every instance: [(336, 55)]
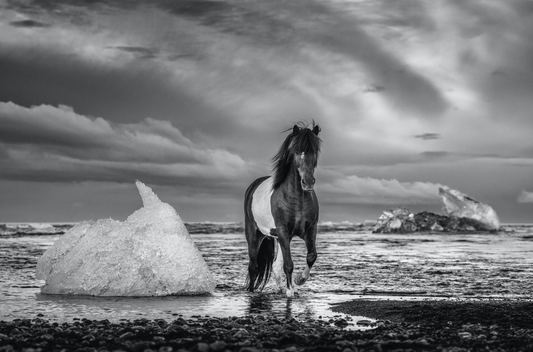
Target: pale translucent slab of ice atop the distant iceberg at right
[(460, 205)]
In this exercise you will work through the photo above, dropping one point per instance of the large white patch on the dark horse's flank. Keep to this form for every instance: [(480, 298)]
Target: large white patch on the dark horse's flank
[(261, 208)]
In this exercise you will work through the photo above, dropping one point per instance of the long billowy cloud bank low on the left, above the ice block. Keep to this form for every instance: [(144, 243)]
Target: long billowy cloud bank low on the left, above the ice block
[(55, 143)]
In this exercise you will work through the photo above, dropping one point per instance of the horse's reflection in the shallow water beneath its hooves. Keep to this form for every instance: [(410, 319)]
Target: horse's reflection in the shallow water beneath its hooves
[(279, 306)]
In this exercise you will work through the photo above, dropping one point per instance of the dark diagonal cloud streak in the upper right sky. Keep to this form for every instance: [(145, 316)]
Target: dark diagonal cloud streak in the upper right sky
[(390, 73)]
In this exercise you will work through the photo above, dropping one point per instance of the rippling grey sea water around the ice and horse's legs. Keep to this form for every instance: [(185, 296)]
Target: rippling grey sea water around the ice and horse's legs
[(352, 263)]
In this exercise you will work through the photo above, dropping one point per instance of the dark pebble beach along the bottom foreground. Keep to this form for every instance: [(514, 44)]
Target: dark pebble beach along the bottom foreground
[(462, 325)]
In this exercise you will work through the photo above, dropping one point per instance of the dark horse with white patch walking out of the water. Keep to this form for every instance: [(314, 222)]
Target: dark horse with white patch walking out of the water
[(281, 206)]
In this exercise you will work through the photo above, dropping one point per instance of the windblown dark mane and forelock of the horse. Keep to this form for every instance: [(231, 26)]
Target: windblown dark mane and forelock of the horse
[(299, 140)]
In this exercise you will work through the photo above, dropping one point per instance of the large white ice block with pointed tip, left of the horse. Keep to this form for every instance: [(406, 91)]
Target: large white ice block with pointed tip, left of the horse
[(149, 254)]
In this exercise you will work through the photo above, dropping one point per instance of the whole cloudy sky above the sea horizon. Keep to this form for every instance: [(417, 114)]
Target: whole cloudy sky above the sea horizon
[(192, 98)]
